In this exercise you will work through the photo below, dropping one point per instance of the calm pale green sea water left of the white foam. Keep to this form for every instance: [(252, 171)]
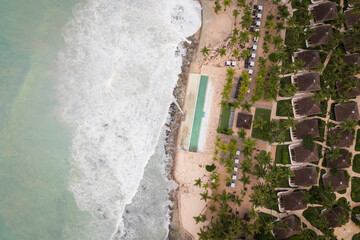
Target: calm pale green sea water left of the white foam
[(34, 145)]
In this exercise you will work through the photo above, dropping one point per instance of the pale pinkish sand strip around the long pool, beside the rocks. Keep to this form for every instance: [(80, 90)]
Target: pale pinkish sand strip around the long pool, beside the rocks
[(190, 166)]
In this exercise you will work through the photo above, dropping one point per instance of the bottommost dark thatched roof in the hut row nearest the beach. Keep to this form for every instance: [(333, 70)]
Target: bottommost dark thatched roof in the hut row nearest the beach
[(287, 228)]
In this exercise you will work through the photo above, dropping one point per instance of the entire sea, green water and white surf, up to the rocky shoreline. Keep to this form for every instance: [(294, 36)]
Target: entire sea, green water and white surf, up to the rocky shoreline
[(85, 89)]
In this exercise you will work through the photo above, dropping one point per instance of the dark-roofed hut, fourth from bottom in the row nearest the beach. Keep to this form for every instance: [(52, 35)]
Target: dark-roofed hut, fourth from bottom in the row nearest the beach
[(300, 154)]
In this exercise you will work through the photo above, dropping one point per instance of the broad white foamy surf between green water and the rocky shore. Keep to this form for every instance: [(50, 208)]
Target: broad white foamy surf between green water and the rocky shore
[(117, 72)]
